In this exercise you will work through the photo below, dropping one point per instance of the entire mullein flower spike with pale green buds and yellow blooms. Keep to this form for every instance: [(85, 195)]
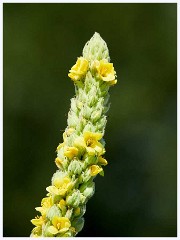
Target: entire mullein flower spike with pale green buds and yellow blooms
[(81, 155)]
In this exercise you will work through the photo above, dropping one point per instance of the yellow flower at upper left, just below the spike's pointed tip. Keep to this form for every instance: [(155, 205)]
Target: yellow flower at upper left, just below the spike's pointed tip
[(79, 69)]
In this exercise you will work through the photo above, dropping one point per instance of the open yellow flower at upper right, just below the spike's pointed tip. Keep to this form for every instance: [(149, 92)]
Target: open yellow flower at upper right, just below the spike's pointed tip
[(105, 71)]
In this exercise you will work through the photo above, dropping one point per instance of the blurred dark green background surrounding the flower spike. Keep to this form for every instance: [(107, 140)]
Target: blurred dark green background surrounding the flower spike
[(137, 197)]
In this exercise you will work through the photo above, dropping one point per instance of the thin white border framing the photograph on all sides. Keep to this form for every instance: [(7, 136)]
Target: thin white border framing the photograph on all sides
[(1, 104)]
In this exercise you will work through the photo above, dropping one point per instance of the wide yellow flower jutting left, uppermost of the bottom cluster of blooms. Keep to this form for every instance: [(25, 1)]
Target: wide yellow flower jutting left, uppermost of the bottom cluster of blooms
[(61, 186)]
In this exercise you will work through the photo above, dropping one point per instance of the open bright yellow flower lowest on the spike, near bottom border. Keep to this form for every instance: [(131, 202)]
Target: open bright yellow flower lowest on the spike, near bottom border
[(60, 225)]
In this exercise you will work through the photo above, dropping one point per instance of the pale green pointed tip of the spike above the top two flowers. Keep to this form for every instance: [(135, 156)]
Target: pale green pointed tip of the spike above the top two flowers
[(96, 49)]
